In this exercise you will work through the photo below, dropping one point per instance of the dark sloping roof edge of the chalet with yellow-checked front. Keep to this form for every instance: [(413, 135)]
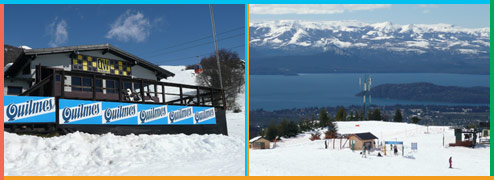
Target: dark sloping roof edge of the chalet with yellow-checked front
[(160, 72)]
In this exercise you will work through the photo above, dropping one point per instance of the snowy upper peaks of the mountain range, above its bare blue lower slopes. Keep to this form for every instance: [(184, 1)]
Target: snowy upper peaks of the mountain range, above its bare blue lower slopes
[(332, 35)]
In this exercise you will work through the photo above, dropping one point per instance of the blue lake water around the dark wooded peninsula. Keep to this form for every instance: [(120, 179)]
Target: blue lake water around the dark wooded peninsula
[(272, 92)]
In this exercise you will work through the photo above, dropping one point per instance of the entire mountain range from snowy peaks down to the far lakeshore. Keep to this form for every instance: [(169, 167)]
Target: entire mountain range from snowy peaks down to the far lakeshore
[(290, 47)]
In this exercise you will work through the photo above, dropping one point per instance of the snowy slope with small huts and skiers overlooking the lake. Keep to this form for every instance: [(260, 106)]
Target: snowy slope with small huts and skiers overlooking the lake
[(300, 156)]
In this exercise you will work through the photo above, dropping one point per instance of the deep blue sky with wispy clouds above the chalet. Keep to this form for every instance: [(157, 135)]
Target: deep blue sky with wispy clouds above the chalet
[(162, 34)]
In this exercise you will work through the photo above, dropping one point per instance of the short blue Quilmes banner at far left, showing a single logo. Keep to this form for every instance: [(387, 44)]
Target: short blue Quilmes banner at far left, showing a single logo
[(28, 109)]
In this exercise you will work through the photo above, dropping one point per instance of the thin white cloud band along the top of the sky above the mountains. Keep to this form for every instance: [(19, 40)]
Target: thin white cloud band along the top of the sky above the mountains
[(312, 8)]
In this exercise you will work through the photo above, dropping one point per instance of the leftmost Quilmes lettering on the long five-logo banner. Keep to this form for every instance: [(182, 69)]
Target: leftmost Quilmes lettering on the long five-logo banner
[(81, 111)]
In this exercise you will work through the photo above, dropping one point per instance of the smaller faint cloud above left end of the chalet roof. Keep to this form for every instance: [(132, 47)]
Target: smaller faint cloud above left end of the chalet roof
[(58, 32)]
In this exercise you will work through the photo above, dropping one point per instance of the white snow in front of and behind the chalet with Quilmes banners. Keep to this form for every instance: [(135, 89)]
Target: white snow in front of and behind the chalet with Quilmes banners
[(152, 155)]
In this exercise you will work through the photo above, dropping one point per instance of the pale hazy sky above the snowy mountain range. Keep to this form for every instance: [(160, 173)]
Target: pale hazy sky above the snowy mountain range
[(464, 15)]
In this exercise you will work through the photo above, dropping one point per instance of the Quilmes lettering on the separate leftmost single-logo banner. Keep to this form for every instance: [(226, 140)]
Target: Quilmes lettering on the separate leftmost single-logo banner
[(29, 108)]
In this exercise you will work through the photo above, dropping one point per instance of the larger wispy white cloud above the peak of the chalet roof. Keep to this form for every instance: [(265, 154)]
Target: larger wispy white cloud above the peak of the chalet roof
[(130, 26)]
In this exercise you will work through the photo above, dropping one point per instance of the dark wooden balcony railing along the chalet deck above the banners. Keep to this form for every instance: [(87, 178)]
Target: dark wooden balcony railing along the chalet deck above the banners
[(107, 87)]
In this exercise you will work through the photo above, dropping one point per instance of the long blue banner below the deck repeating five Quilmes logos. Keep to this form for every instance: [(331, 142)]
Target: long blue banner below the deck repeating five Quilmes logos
[(100, 112)]
